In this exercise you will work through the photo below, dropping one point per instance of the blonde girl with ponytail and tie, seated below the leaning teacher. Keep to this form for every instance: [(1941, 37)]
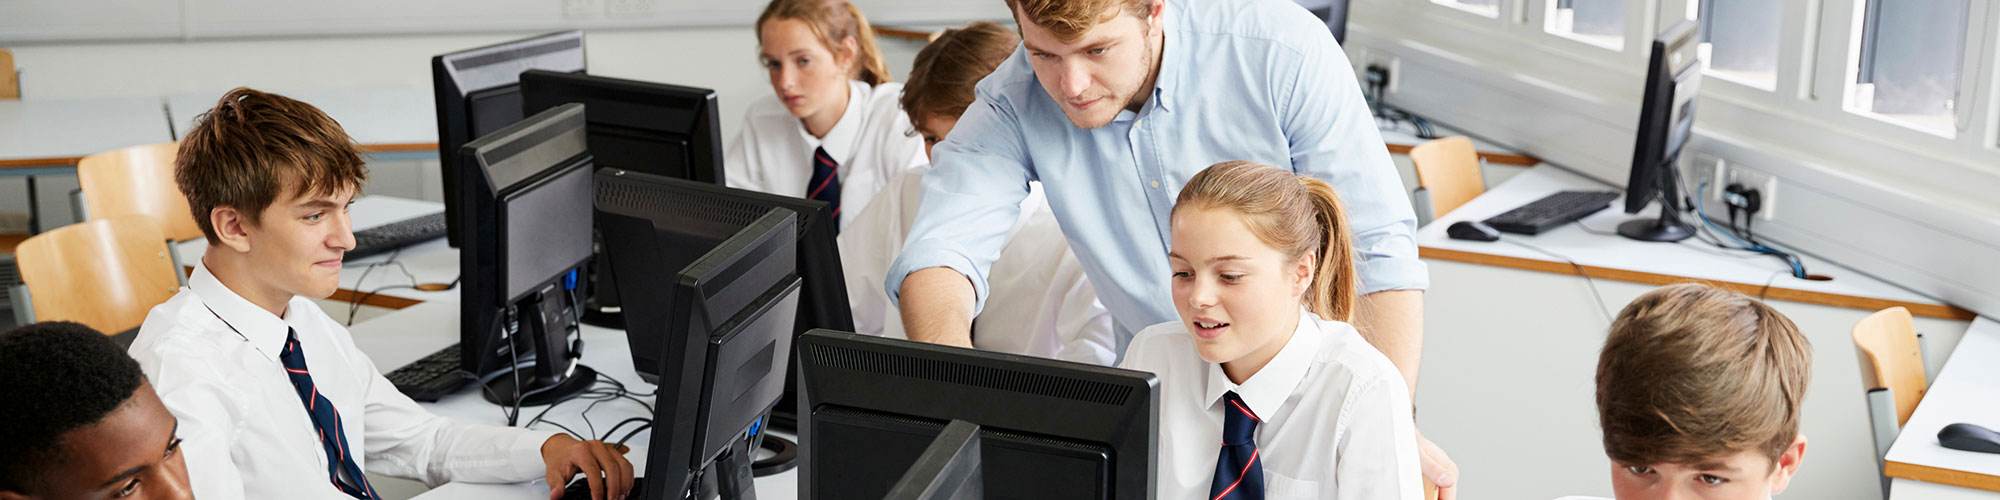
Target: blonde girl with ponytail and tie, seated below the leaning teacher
[(1265, 359)]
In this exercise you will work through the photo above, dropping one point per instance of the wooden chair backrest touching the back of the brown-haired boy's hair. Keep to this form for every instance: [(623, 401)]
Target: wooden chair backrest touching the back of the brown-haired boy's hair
[(139, 183)]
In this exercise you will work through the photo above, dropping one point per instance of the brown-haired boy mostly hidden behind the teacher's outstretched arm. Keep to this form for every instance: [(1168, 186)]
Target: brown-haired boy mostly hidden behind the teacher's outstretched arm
[(1041, 301)]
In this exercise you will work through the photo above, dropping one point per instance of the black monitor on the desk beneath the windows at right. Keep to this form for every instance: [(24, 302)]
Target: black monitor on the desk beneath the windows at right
[(1665, 125)]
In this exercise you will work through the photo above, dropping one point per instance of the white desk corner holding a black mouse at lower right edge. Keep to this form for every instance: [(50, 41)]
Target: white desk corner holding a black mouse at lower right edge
[(1967, 391)]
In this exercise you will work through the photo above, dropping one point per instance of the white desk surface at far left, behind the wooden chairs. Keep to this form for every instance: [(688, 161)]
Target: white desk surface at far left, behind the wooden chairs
[(59, 133)]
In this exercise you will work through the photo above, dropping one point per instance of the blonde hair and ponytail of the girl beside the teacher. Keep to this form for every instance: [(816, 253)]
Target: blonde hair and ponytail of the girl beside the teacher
[(1295, 215)]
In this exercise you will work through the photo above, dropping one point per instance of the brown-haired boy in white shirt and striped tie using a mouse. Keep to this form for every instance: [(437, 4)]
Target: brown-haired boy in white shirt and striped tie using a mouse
[(271, 393)]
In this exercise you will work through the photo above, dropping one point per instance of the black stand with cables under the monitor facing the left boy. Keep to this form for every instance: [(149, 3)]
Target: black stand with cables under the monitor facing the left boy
[(547, 321)]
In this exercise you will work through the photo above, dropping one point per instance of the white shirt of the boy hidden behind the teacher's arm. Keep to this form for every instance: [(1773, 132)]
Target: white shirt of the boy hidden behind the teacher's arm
[(1041, 301)]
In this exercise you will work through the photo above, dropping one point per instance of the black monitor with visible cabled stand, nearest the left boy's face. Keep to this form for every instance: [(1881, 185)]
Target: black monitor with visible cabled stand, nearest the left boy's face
[(527, 189)]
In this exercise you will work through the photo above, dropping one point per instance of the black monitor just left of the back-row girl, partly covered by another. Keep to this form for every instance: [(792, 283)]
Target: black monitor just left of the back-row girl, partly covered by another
[(641, 127)]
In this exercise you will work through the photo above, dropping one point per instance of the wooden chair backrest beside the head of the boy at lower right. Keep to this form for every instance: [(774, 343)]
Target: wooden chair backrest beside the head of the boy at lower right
[(1891, 359)]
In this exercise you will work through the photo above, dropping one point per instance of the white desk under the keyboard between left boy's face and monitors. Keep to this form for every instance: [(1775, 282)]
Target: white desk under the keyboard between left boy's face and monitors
[(429, 263)]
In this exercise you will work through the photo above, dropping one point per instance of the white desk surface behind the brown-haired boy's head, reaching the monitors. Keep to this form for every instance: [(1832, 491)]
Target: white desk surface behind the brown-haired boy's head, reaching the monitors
[(379, 119)]
